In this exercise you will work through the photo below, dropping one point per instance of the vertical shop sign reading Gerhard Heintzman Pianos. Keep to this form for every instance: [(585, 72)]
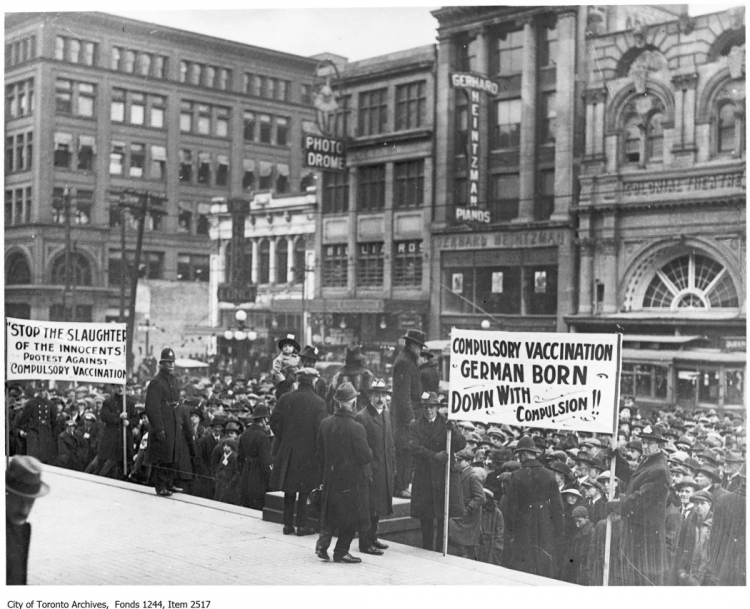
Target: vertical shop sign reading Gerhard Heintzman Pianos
[(473, 86)]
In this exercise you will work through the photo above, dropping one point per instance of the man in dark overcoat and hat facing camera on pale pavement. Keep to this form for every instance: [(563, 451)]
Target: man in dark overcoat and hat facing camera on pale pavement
[(377, 423)]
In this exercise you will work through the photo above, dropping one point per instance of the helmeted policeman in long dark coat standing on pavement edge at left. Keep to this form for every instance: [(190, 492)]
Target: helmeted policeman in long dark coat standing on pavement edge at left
[(162, 401)]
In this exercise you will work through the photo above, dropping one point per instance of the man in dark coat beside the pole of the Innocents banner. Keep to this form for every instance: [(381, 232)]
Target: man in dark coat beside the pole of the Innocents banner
[(115, 420)]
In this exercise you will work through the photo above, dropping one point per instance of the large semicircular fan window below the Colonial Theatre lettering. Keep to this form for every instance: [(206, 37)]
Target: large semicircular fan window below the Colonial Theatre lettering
[(691, 281)]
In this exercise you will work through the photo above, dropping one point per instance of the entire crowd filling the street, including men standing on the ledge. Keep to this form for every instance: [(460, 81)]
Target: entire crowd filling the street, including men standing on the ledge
[(671, 488)]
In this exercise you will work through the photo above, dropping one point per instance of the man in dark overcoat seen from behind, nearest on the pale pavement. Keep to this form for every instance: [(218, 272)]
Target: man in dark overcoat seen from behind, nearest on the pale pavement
[(344, 456)]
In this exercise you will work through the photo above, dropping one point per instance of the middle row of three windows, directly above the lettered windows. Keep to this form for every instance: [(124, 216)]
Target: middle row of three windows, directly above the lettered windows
[(408, 188)]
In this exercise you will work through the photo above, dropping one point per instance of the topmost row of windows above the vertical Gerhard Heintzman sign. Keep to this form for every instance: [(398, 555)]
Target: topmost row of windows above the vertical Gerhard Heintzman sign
[(506, 51)]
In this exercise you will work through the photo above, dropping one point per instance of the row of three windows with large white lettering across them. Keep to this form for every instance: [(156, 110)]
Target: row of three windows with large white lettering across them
[(370, 264)]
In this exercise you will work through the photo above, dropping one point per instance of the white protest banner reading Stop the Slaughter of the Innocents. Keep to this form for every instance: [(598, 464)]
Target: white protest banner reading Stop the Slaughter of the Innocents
[(46, 350)]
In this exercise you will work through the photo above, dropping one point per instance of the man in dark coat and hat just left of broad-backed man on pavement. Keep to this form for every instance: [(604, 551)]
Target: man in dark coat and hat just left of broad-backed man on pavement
[(254, 459)]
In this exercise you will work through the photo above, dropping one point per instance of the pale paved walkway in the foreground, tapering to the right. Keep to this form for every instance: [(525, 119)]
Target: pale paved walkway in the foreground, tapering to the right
[(95, 531)]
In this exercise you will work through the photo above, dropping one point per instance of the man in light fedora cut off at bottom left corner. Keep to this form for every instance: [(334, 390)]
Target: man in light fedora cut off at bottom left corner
[(23, 485)]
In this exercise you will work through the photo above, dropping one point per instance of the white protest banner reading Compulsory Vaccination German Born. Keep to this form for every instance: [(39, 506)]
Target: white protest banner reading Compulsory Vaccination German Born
[(546, 380)]
